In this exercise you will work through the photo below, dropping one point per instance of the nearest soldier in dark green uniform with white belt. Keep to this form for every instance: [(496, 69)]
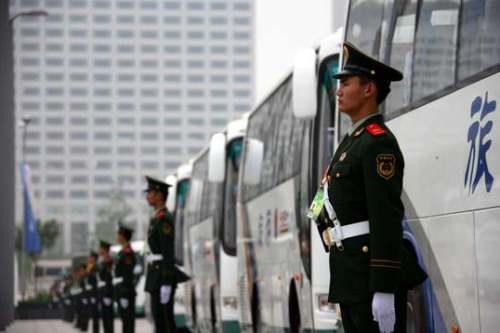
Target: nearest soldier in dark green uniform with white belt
[(370, 268)]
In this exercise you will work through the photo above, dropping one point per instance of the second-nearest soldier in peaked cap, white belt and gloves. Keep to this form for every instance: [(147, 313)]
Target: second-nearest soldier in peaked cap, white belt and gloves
[(160, 278)]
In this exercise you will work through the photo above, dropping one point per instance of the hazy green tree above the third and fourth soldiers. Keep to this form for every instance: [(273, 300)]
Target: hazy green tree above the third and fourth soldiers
[(108, 216)]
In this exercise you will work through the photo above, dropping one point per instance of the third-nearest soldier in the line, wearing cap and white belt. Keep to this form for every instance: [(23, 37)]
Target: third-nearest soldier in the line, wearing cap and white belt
[(124, 270)]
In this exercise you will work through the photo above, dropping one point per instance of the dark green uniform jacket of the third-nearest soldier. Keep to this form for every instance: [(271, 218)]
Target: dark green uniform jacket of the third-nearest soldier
[(124, 268)]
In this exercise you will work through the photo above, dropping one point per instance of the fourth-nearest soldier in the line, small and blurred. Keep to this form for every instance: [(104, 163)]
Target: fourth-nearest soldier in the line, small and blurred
[(106, 290)]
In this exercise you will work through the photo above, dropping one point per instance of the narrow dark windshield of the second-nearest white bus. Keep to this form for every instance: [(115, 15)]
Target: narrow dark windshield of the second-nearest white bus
[(231, 191)]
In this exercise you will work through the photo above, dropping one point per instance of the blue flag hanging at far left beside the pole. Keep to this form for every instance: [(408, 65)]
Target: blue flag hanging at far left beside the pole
[(31, 238)]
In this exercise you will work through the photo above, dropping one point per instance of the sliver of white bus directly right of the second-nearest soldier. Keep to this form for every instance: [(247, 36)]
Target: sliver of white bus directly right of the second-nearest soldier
[(176, 203)]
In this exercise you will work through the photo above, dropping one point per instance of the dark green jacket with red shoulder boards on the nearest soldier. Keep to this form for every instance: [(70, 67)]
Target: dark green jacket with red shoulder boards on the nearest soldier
[(365, 181)]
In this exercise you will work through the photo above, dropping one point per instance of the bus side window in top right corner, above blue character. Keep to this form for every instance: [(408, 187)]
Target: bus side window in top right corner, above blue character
[(479, 38)]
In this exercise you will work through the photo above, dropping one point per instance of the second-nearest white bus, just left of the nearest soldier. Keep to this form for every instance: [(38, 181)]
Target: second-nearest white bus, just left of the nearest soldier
[(283, 268)]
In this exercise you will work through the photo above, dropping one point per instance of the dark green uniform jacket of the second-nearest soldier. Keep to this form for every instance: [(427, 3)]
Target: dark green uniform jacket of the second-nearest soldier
[(161, 241)]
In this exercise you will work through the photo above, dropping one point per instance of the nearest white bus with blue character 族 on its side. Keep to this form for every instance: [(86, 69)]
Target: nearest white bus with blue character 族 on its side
[(443, 114)]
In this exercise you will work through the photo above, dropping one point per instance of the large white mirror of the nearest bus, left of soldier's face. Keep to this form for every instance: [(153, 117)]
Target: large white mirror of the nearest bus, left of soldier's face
[(304, 84)]
